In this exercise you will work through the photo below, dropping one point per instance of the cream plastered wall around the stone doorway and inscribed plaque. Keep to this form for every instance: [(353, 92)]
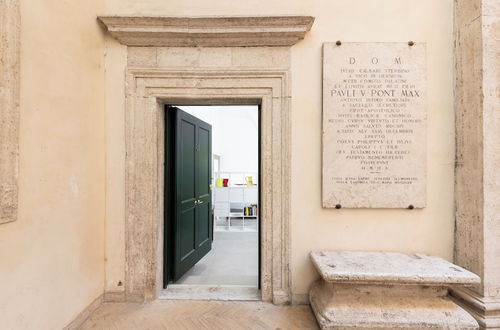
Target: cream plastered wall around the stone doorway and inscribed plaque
[(429, 230)]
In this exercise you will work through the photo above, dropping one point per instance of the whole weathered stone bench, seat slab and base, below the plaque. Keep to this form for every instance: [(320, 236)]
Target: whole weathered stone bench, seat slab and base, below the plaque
[(378, 290)]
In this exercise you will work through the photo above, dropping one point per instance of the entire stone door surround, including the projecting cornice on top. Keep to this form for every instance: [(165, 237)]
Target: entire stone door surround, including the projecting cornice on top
[(205, 60)]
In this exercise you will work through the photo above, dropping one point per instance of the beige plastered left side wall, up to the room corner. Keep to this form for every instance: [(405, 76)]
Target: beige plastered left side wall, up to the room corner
[(52, 256)]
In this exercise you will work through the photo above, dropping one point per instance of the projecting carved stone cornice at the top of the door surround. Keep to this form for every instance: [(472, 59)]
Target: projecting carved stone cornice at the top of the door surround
[(218, 31)]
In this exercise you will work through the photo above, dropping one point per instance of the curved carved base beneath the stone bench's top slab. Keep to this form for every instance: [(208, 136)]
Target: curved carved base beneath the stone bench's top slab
[(351, 306)]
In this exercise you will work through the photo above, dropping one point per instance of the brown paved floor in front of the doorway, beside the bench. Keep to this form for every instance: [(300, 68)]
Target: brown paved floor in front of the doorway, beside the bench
[(200, 315)]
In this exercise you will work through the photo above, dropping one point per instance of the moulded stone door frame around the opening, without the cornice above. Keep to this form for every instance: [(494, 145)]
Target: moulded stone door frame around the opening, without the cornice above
[(147, 91)]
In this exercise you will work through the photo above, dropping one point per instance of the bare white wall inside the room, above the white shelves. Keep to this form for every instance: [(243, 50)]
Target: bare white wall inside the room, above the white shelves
[(235, 133)]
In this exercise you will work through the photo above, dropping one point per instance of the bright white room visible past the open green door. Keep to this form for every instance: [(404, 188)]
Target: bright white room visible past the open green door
[(233, 259)]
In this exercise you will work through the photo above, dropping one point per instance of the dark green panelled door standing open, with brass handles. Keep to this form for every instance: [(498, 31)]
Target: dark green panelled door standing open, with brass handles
[(192, 193)]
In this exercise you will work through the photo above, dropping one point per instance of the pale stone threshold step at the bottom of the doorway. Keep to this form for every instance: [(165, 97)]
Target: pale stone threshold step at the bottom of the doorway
[(210, 292)]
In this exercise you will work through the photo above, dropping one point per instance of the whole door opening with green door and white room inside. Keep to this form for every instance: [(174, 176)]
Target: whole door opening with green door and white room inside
[(211, 235)]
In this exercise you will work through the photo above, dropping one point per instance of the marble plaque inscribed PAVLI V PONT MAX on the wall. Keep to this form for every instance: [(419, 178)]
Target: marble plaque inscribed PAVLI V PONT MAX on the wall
[(374, 125)]
